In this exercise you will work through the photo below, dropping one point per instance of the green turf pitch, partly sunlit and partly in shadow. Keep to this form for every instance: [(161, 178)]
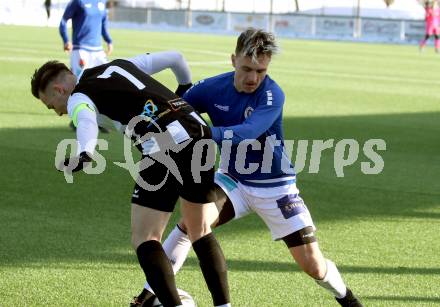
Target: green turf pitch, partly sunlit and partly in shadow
[(69, 244)]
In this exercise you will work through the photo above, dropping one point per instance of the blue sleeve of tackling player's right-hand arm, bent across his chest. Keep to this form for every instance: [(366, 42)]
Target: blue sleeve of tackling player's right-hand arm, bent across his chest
[(262, 118)]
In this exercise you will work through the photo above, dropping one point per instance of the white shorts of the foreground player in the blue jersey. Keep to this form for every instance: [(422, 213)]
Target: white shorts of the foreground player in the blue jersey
[(281, 208)]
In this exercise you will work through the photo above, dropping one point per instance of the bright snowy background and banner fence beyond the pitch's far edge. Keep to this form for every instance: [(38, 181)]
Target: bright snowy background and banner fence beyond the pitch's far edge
[(394, 21)]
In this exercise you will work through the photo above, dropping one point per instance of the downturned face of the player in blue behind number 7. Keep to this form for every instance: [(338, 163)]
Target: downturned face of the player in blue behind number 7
[(249, 75)]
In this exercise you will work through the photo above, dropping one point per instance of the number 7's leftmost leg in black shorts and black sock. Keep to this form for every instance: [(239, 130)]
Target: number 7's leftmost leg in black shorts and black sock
[(151, 211)]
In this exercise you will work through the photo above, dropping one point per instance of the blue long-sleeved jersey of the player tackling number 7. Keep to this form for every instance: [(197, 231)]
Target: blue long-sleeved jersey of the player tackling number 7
[(255, 116)]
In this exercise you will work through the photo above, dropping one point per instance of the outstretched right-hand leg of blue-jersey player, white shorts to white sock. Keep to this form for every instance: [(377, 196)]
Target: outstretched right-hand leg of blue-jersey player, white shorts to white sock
[(287, 217)]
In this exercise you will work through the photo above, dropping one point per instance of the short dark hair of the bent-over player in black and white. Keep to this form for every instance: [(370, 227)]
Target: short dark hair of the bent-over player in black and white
[(44, 75)]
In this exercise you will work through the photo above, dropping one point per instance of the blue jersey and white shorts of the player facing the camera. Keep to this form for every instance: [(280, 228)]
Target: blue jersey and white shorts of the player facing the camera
[(255, 173)]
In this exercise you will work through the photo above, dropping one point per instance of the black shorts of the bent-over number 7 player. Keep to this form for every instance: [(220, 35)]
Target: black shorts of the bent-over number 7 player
[(161, 188)]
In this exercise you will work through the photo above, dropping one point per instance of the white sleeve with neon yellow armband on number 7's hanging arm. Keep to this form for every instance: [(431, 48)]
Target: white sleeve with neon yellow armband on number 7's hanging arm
[(82, 111)]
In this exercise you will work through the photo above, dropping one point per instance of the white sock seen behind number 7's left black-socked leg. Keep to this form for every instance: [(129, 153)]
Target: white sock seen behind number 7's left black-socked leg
[(176, 246)]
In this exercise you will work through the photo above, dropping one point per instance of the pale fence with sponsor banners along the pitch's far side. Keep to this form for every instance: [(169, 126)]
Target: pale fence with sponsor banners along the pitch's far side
[(286, 25)]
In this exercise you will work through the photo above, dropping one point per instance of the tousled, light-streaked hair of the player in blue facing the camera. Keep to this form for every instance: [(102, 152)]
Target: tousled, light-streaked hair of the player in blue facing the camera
[(255, 42)]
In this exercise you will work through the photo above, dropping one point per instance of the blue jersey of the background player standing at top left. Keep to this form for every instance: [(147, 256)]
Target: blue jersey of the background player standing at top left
[(89, 23)]
